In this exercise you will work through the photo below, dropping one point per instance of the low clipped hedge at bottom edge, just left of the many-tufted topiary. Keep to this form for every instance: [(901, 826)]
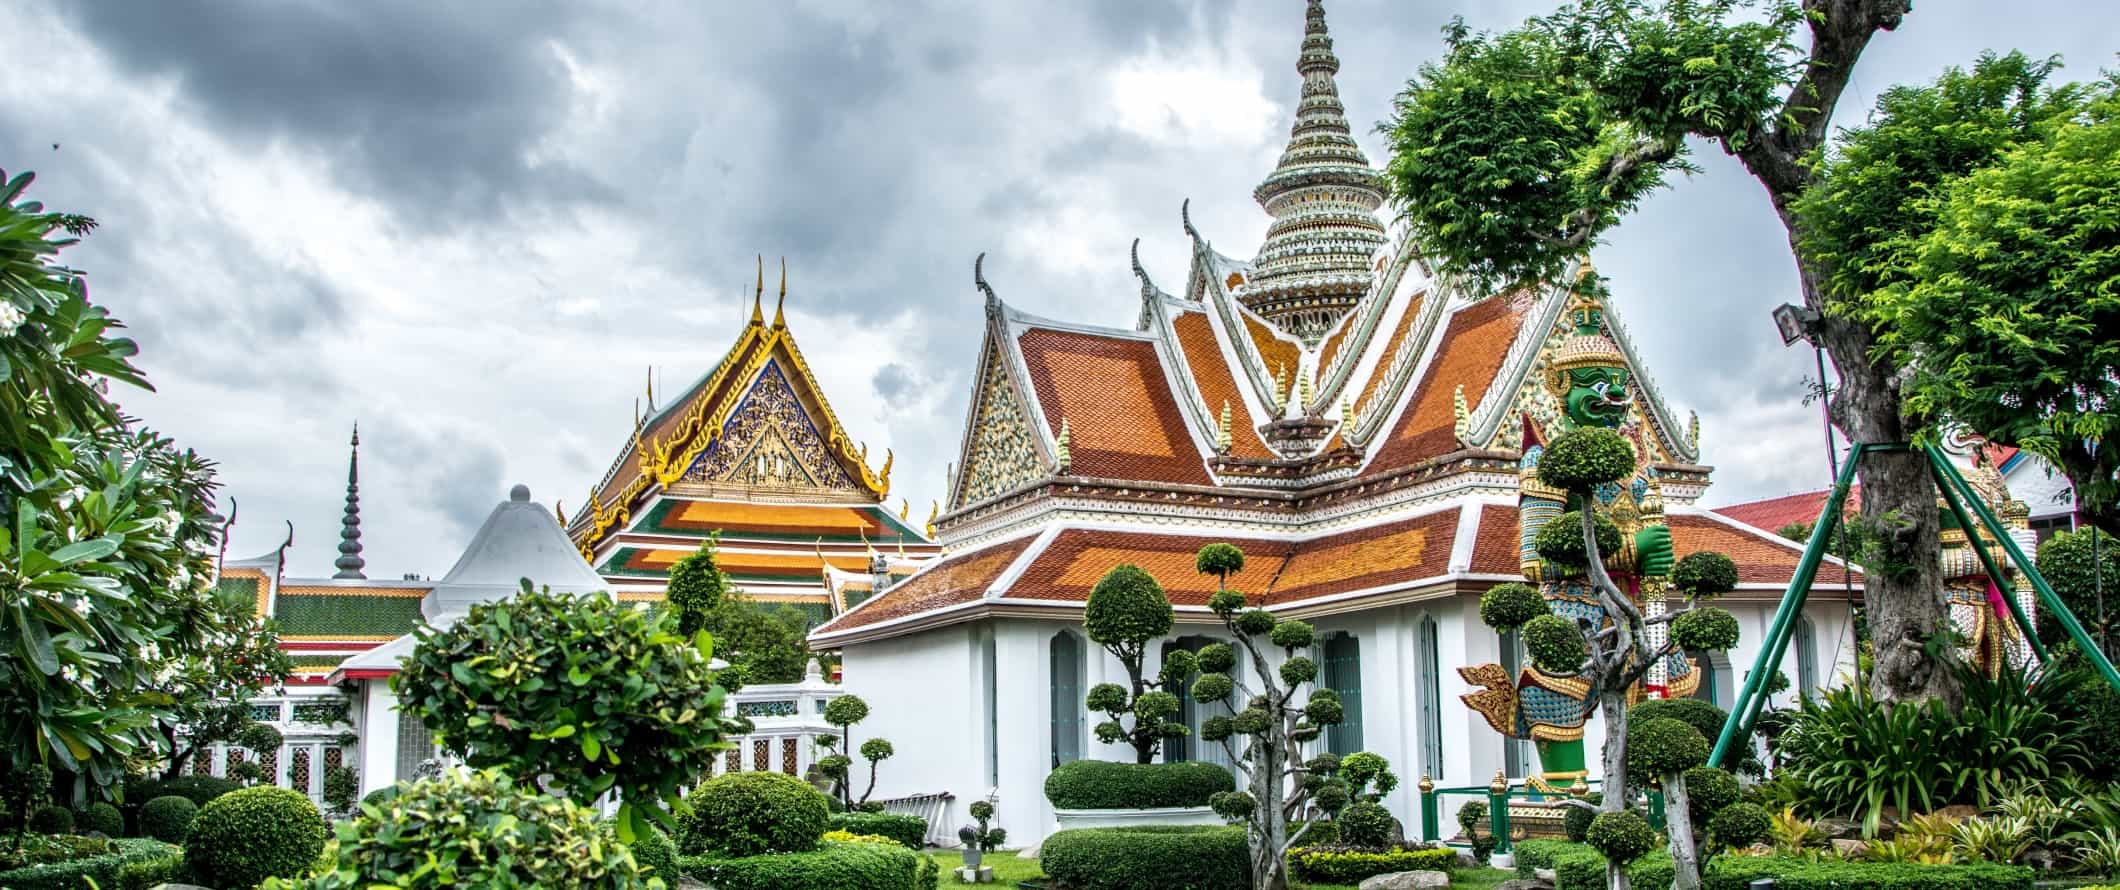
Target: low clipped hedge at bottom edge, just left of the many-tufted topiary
[(1150, 857)]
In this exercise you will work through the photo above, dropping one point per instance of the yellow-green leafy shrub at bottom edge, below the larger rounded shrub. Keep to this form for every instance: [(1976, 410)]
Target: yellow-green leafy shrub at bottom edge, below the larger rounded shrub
[(476, 830)]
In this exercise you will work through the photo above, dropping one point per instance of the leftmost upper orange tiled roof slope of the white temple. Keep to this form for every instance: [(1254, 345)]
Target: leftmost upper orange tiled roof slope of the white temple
[(1123, 416)]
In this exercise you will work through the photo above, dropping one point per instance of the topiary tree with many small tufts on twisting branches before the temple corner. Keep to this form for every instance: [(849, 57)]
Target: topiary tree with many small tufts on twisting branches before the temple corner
[(1273, 724)]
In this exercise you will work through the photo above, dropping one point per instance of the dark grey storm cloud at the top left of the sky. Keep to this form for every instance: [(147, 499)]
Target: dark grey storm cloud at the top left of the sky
[(434, 105)]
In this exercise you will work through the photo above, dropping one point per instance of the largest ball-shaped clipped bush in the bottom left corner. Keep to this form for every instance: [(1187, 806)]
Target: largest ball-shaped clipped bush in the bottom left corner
[(249, 836)]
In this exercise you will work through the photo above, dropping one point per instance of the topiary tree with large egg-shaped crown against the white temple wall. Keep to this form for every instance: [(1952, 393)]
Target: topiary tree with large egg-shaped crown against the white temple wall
[(1125, 613)]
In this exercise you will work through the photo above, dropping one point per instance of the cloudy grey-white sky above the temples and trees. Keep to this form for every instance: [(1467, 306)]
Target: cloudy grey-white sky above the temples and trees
[(476, 228)]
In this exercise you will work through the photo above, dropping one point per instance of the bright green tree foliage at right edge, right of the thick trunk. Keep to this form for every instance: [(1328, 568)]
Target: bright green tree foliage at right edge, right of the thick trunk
[(1968, 224)]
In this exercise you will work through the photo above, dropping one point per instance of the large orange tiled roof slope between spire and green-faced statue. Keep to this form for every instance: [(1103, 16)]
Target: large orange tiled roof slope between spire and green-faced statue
[(1470, 355)]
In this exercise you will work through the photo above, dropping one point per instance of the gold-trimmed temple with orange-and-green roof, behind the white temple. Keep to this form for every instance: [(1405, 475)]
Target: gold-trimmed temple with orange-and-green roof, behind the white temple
[(752, 455)]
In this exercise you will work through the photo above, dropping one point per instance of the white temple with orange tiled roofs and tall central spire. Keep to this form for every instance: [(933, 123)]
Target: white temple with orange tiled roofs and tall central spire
[(1356, 425)]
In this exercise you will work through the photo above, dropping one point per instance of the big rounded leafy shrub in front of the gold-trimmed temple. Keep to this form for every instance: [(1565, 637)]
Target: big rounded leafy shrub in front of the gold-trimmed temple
[(527, 686)]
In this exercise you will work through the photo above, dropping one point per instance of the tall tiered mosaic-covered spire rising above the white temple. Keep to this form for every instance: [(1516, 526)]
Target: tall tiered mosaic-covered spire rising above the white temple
[(1324, 196)]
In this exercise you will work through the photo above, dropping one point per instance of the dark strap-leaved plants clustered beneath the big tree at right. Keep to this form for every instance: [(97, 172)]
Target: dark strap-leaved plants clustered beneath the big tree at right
[(1850, 753)]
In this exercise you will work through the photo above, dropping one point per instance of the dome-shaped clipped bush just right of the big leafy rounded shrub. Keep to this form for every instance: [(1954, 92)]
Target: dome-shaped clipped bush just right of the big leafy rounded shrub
[(749, 815)]
